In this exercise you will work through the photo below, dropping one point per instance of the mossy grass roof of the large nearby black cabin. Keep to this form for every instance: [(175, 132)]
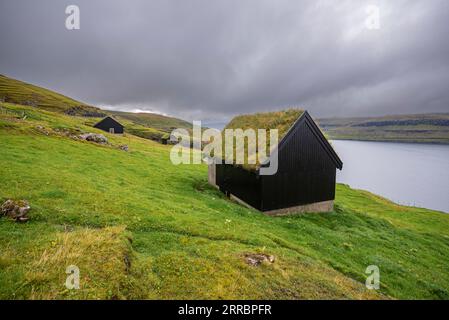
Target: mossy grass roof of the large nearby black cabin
[(281, 120)]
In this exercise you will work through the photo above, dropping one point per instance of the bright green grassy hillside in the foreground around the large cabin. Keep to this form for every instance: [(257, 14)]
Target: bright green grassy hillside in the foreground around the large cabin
[(139, 227)]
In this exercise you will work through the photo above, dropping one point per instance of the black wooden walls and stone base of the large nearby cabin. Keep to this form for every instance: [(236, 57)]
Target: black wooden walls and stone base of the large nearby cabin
[(304, 182)]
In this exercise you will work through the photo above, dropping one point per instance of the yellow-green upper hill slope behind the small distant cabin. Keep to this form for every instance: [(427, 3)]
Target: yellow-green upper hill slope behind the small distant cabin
[(146, 125)]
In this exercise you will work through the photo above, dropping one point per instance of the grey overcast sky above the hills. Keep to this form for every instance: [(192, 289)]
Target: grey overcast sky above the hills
[(212, 59)]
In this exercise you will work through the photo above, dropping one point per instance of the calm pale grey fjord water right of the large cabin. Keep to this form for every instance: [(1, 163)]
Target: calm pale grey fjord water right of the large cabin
[(406, 173)]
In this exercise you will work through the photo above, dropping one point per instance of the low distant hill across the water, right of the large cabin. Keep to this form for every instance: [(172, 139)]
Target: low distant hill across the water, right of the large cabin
[(428, 128)]
